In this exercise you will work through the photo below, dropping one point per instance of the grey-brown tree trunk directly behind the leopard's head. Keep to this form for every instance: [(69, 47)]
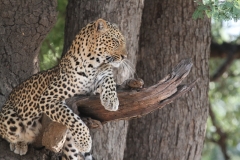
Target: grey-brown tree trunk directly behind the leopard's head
[(108, 143)]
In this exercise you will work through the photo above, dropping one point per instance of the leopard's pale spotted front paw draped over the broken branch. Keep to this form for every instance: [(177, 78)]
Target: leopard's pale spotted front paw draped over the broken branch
[(110, 101)]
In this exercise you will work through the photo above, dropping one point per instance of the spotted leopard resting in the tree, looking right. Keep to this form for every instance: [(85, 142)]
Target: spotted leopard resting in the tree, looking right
[(87, 67)]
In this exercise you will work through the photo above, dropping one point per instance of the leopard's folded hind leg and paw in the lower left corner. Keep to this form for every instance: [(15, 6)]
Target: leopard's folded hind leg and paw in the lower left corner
[(19, 132)]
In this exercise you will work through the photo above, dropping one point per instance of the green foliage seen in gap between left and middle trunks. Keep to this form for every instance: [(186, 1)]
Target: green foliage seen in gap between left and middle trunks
[(51, 50)]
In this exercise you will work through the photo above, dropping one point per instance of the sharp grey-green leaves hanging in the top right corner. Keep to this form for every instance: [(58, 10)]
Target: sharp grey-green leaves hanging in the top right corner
[(218, 9)]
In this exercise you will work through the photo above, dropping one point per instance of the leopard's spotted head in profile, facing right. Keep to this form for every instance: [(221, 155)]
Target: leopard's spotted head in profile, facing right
[(104, 41)]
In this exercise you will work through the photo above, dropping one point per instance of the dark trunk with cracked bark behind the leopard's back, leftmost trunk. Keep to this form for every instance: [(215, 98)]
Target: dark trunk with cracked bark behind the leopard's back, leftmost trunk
[(23, 26)]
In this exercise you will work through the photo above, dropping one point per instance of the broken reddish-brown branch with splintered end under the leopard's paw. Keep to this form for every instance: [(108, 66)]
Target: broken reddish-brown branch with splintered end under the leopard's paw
[(141, 102)]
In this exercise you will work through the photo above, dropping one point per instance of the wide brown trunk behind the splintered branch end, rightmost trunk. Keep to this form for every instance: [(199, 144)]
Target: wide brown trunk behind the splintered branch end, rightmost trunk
[(168, 34)]
